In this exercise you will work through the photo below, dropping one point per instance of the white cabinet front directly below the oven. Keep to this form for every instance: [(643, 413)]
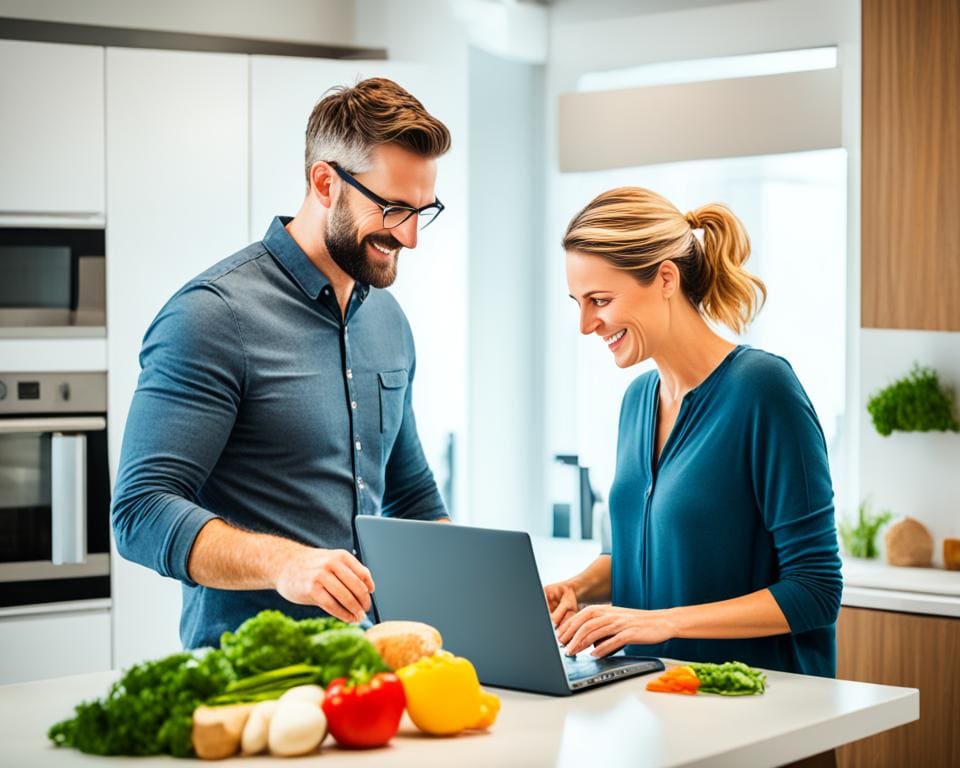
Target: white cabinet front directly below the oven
[(40, 645)]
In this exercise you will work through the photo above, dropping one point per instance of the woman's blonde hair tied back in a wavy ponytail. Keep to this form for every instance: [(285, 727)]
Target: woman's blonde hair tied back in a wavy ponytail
[(635, 229)]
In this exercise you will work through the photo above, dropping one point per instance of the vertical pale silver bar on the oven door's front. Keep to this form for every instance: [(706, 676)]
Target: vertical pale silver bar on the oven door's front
[(68, 497)]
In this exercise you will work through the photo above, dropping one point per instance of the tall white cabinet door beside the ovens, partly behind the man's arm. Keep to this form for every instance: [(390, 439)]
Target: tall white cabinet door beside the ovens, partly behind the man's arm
[(178, 181)]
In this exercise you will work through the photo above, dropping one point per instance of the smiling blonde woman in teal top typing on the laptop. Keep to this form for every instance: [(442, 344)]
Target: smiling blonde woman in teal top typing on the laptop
[(724, 539)]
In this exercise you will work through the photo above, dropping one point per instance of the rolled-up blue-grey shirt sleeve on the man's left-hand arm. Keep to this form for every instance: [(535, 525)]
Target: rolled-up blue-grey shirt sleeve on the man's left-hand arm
[(183, 411)]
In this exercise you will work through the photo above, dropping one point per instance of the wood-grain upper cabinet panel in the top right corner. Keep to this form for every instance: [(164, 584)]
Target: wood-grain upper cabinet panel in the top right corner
[(910, 243)]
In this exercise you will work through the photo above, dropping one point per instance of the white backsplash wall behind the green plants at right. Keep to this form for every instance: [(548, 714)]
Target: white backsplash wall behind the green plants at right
[(911, 473)]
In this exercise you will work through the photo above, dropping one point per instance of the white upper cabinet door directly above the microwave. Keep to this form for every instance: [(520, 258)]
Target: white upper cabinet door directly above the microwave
[(51, 134)]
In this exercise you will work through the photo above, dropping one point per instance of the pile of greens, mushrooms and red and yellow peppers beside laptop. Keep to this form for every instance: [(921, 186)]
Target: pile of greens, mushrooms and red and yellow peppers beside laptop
[(264, 688)]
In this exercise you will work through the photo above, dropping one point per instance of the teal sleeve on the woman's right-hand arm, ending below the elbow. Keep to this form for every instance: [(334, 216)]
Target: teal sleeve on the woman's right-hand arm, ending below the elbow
[(791, 480)]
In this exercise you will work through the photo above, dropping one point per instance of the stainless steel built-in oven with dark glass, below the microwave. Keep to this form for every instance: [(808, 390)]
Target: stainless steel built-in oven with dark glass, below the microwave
[(54, 488)]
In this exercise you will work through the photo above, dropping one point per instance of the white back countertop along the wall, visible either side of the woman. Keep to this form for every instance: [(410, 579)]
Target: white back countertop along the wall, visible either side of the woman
[(866, 583)]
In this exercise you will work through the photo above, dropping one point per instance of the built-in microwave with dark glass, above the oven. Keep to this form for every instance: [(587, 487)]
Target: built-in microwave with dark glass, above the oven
[(52, 282)]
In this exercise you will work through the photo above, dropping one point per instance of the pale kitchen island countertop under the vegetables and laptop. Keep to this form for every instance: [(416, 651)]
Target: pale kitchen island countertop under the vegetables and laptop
[(620, 724)]
